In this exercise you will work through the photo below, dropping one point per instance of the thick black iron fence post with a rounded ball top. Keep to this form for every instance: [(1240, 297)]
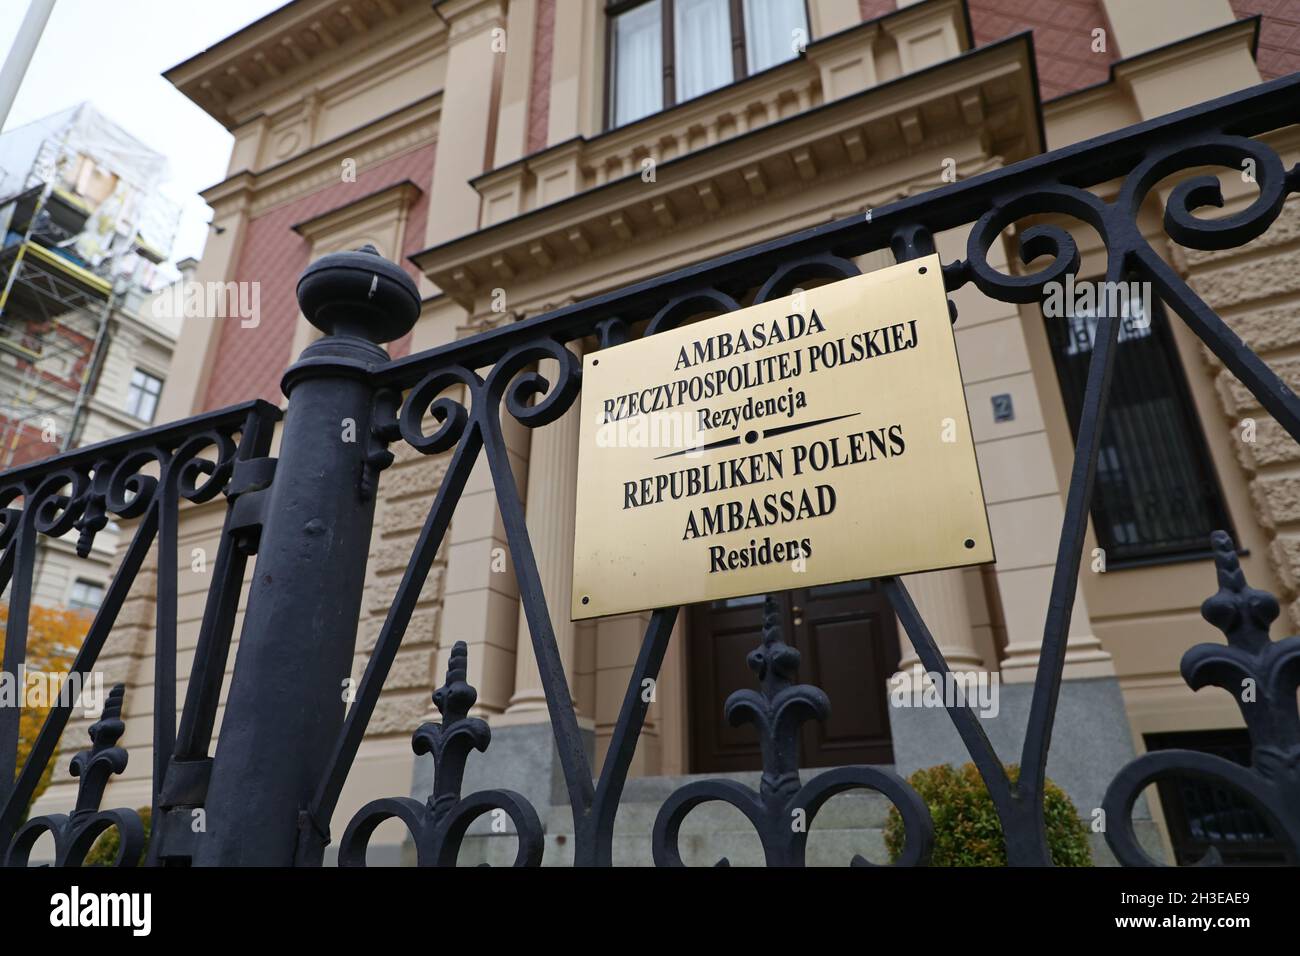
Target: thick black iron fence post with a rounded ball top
[(292, 674)]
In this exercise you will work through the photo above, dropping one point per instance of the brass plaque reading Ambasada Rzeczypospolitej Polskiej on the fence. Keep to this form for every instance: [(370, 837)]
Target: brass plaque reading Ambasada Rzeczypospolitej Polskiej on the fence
[(816, 439)]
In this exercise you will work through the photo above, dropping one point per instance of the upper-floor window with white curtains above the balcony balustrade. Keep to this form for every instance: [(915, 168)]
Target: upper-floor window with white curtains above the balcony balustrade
[(664, 53)]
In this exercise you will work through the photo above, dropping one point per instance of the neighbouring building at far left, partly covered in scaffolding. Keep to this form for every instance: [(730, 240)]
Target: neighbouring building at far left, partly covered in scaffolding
[(84, 356)]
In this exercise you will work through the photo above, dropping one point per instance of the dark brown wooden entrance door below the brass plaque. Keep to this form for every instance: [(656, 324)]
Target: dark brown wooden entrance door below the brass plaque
[(850, 646)]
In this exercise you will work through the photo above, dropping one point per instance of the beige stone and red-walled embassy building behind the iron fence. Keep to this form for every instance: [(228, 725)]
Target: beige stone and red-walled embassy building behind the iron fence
[(497, 150)]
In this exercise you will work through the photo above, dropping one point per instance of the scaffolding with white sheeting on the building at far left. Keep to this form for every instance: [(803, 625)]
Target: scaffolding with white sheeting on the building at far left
[(84, 230)]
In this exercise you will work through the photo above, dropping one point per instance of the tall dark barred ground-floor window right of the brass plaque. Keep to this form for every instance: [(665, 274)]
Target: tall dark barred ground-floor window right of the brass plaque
[(1156, 492)]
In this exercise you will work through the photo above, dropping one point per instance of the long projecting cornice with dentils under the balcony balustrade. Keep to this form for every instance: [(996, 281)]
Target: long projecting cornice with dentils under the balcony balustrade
[(986, 96)]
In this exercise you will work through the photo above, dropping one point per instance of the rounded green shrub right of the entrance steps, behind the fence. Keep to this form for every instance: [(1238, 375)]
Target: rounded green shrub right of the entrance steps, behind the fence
[(968, 832)]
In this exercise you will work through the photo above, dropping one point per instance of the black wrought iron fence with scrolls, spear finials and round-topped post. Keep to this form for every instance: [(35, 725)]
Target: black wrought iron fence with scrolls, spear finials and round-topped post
[(287, 745)]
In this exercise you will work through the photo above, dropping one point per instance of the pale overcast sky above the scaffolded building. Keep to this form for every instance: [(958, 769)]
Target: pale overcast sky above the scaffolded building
[(112, 54)]
